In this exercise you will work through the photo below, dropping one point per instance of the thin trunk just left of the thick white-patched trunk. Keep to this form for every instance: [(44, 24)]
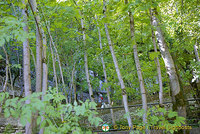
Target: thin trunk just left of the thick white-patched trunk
[(158, 67)]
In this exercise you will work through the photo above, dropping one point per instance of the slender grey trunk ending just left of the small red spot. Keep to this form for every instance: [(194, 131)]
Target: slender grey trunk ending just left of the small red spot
[(86, 62)]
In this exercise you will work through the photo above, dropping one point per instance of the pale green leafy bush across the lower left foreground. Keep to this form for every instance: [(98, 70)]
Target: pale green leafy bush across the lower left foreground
[(57, 117)]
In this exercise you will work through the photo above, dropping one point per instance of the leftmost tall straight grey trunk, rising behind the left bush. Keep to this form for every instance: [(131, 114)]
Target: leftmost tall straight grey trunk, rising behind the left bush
[(26, 59)]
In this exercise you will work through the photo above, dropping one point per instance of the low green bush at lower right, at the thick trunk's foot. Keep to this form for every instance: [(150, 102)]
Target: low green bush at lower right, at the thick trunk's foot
[(159, 119)]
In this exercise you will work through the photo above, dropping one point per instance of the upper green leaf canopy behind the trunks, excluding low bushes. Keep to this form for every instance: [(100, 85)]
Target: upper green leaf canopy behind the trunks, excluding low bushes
[(64, 19)]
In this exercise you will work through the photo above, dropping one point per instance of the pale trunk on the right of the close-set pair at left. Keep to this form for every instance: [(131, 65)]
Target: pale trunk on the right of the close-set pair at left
[(45, 74)]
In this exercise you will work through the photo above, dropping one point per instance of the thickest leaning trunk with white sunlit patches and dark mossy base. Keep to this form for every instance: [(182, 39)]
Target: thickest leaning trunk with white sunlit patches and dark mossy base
[(177, 94)]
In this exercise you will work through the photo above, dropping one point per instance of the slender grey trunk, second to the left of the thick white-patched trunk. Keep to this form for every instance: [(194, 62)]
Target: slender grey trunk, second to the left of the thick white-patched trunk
[(139, 72)]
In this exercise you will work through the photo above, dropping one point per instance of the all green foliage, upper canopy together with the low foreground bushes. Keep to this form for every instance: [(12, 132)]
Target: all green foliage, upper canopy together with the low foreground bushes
[(179, 23)]
